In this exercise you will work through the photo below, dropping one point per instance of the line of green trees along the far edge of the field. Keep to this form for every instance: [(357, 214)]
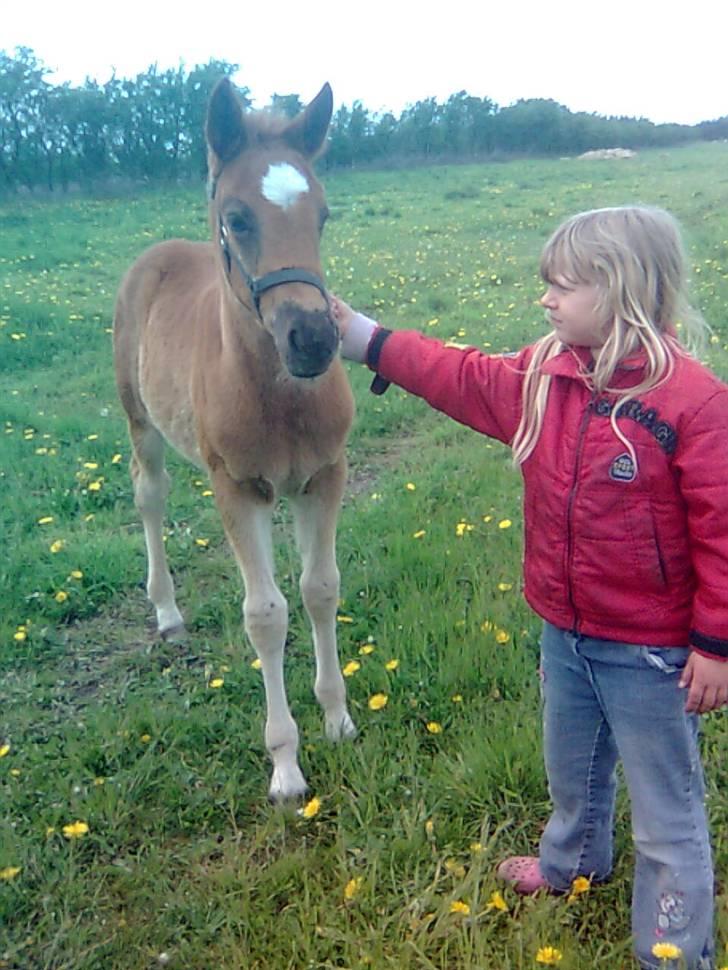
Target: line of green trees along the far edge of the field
[(151, 128)]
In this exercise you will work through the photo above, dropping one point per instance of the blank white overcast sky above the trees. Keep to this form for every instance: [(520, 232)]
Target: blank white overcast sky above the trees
[(665, 60)]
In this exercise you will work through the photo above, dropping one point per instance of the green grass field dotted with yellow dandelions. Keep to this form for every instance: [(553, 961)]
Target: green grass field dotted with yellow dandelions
[(179, 860)]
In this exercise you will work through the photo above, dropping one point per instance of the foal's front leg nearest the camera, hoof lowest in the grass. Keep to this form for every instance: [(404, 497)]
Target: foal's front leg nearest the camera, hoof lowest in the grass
[(247, 518)]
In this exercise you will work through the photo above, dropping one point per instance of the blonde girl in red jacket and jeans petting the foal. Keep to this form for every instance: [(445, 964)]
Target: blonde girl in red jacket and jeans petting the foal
[(622, 440)]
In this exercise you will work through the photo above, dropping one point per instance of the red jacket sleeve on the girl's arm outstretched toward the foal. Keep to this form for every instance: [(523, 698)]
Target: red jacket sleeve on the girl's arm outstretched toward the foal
[(479, 390)]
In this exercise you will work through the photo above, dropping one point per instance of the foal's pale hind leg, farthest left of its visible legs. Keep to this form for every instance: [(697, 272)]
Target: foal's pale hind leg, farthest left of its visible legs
[(151, 487)]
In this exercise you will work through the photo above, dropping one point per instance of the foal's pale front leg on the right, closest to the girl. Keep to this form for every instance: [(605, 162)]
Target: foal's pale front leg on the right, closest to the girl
[(315, 513)]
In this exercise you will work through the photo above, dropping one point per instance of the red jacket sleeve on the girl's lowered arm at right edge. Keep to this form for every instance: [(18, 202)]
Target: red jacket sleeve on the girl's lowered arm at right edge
[(702, 458)]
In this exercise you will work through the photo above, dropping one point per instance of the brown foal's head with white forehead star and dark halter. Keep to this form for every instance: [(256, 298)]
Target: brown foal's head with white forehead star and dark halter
[(267, 212)]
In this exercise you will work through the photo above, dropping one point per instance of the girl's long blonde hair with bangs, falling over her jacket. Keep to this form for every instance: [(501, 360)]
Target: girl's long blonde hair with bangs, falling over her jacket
[(634, 257)]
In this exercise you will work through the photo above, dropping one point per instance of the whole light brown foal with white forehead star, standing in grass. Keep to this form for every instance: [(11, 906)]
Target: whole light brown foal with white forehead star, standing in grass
[(228, 351)]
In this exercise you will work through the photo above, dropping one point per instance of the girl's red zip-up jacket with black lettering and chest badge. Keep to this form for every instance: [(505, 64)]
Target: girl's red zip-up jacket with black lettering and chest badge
[(618, 553)]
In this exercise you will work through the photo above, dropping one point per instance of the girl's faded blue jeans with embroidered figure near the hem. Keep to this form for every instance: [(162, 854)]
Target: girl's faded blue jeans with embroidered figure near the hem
[(605, 701)]
